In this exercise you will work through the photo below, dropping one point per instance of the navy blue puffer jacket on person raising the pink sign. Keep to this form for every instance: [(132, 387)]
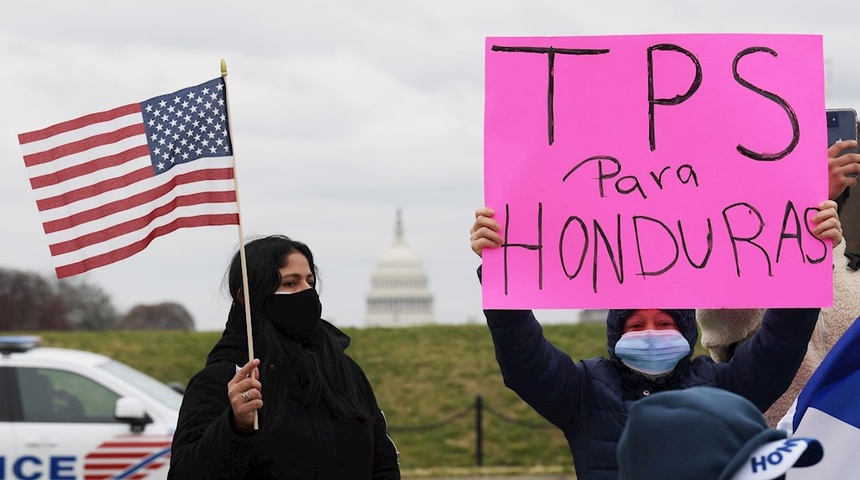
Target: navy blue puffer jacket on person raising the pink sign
[(588, 400)]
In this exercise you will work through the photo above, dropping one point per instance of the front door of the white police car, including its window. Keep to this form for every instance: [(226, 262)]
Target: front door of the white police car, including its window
[(66, 427)]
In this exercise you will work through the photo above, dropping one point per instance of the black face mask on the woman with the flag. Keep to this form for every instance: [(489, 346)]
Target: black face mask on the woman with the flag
[(296, 315)]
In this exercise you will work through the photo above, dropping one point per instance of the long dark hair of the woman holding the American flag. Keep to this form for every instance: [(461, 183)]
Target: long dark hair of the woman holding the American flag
[(318, 376)]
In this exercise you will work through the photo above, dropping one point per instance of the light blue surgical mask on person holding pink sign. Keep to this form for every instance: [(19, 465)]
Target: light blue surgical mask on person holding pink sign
[(652, 352)]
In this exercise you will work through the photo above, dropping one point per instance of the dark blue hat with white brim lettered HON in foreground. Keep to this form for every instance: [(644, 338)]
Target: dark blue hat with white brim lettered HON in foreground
[(708, 434)]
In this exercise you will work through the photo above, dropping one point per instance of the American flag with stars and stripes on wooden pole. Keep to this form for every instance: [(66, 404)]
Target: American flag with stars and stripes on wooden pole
[(108, 183)]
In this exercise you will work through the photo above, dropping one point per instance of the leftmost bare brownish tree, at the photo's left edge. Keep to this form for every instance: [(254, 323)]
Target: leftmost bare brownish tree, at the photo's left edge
[(29, 302)]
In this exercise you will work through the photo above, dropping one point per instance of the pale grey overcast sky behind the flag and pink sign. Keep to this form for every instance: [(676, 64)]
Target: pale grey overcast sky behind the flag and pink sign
[(342, 112)]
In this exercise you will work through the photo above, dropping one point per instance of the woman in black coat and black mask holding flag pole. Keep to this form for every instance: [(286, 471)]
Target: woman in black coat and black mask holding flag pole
[(316, 411)]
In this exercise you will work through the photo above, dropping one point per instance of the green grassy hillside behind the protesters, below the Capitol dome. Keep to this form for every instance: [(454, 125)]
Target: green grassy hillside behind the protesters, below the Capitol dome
[(422, 376)]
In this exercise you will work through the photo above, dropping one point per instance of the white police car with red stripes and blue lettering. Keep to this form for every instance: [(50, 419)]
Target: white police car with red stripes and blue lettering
[(71, 414)]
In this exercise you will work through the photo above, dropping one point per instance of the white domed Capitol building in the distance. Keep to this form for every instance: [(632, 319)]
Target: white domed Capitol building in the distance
[(399, 293)]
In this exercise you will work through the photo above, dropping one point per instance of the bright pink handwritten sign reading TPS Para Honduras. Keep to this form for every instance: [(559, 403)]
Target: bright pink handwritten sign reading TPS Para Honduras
[(661, 171)]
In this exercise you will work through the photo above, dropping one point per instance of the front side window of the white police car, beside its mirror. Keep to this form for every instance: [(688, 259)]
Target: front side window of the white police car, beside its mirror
[(50, 395)]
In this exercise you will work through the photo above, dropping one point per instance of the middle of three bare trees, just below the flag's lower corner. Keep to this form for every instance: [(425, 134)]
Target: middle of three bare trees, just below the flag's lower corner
[(88, 307)]
